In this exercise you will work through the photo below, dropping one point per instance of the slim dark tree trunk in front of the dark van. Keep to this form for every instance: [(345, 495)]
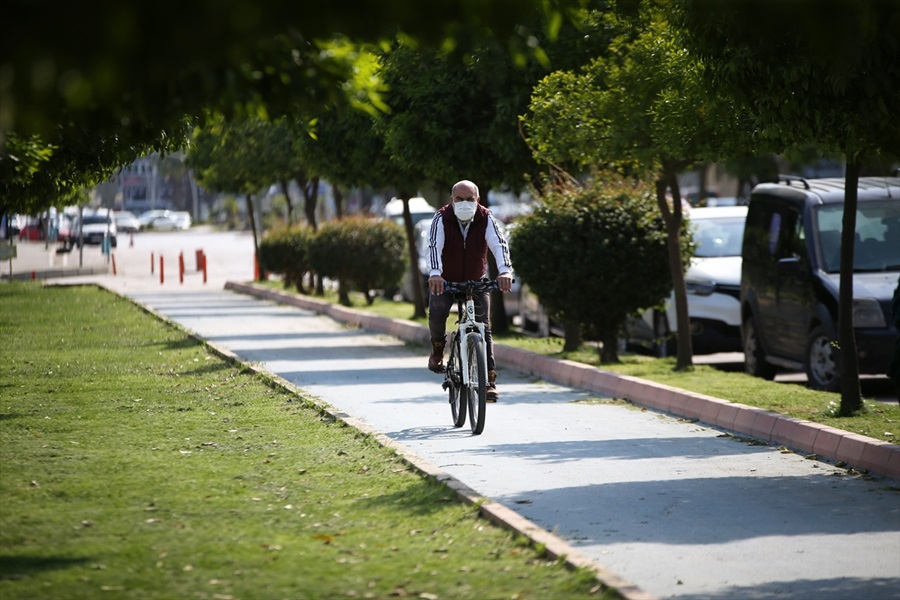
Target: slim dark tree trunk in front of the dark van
[(851, 394)]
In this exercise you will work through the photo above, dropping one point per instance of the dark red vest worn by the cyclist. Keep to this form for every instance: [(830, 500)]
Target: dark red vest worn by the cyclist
[(464, 260)]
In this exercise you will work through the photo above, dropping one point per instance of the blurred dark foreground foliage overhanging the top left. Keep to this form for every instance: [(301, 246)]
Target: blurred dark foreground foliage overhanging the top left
[(112, 66)]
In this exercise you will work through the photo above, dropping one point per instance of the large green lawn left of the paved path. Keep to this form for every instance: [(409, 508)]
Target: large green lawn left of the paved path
[(138, 464)]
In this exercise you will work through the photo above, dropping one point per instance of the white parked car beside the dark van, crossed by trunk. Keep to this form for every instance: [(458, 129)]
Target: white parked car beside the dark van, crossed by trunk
[(713, 282)]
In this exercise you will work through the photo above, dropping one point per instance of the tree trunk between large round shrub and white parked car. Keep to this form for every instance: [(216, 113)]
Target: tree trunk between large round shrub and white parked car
[(673, 218)]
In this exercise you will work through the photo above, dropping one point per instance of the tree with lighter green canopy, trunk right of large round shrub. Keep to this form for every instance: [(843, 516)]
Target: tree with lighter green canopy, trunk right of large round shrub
[(642, 111)]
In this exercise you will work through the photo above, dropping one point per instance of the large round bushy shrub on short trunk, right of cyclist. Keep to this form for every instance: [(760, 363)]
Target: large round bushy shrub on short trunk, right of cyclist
[(580, 250)]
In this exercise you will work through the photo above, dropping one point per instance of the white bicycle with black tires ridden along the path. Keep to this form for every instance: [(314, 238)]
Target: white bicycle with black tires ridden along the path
[(466, 371)]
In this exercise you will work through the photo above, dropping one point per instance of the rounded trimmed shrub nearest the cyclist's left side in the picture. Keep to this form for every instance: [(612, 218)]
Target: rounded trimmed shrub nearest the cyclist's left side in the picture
[(361, 254)]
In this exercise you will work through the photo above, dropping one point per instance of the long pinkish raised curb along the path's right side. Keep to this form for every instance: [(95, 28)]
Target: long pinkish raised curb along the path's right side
[(802, 436)]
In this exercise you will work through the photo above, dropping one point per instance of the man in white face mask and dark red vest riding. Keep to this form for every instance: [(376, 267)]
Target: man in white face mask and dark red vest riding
[(458, 241)]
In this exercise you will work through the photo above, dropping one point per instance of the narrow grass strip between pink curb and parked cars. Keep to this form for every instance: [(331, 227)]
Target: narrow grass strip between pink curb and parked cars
[(878, 420)]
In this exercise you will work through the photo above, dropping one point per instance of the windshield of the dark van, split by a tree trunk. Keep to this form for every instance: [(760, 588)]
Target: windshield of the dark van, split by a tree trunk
[(877, 240)]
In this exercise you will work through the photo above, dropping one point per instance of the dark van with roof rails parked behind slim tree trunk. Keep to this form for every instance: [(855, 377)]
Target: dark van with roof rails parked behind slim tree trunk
[(790, 277)]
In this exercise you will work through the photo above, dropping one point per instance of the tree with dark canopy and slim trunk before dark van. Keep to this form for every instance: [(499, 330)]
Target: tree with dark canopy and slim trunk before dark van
[(829, 77)]
